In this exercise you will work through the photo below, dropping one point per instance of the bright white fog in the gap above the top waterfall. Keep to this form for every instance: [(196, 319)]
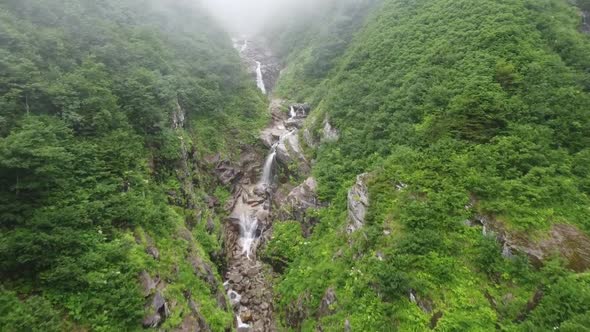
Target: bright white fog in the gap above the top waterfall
[(250, 16)]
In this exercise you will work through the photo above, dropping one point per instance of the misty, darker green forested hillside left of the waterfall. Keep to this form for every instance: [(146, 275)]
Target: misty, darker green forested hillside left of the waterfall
[(107, 112)]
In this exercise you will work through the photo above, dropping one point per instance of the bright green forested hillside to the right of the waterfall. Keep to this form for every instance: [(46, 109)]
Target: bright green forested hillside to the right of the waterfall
[(470, 123)]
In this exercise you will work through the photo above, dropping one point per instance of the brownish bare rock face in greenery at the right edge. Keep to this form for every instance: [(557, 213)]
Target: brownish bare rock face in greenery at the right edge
[(567, 240)]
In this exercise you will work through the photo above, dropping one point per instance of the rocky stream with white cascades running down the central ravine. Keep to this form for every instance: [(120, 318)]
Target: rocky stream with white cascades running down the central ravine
[(249, 221)]
